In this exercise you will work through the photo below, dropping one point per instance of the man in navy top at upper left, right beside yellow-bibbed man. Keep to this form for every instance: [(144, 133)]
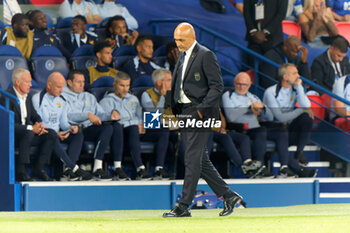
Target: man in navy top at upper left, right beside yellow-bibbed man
[(42, 36)]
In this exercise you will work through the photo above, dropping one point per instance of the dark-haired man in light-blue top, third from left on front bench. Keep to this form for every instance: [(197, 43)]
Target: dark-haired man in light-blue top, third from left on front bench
[(83, 109)]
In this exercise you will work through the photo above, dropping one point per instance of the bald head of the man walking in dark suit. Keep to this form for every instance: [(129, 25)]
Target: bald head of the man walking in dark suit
[(184, 36)]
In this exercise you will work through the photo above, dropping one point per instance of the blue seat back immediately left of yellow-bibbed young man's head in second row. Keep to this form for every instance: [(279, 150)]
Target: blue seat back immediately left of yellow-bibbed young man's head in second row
[(83, 57)]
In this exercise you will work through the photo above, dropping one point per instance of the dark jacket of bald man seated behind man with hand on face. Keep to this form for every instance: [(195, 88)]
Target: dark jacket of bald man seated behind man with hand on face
[(275, 54)]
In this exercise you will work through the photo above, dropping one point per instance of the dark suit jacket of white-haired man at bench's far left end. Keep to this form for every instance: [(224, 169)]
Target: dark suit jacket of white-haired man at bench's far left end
[(32, 115)]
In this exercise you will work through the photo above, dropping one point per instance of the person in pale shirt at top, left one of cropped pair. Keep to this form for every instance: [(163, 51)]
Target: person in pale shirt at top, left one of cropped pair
[(71, 8)]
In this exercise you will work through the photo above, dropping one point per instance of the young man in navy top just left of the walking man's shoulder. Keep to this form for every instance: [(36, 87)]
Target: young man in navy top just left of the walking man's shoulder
[(141, 64)]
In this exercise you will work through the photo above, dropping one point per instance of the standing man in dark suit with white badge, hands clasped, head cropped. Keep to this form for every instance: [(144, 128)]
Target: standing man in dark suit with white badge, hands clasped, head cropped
[(263, 19)]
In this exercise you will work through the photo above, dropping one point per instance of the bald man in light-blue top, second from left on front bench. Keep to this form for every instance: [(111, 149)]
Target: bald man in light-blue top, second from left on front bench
[(52, 108)]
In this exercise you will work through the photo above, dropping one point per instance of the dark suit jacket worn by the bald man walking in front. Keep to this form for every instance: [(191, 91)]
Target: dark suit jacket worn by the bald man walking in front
[(202, 82)]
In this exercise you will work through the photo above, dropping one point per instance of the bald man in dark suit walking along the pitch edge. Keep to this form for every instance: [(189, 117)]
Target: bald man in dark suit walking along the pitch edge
[(196, 91)]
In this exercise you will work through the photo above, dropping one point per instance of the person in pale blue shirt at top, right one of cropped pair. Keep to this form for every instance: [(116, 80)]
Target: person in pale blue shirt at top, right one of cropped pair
[(110, 8)]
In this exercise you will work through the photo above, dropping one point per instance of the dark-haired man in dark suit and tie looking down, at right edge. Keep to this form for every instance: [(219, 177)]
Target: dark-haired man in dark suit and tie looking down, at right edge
[(332, 64)]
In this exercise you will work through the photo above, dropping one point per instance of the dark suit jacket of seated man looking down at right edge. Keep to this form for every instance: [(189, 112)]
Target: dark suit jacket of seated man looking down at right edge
[(322, 71)]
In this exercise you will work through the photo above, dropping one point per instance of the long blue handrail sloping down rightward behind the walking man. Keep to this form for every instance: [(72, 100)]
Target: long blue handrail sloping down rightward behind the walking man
[(256, 55)]
